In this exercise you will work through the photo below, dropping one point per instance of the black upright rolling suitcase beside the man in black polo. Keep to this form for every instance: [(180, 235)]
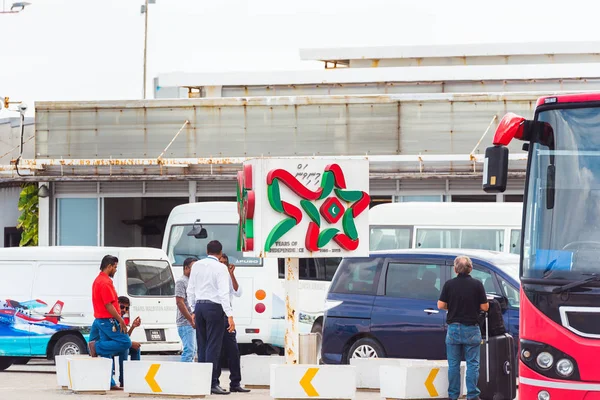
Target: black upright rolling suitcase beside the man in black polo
[(498, 367)]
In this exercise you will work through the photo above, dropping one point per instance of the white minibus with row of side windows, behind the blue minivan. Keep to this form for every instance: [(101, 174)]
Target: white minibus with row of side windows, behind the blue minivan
[(484, 226)]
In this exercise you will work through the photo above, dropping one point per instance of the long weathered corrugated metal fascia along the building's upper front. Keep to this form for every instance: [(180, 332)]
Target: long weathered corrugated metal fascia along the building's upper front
[(280, 126)]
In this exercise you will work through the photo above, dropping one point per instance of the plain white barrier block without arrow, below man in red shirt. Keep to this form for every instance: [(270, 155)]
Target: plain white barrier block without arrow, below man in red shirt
[(89, 375)]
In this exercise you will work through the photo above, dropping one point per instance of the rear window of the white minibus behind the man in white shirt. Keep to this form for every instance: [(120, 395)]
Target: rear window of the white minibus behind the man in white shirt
[(182, 246)]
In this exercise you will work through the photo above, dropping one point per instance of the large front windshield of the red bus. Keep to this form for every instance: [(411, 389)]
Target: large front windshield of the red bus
[(562, 233)]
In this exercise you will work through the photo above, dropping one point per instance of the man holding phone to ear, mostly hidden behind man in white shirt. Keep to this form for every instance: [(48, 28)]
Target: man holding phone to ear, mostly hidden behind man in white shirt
[(230, 346)]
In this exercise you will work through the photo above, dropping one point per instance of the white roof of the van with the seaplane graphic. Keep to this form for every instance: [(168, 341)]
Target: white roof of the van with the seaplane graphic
[(78, 253)]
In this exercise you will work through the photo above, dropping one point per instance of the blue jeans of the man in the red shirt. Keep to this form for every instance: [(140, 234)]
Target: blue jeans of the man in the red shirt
[(109, 343)]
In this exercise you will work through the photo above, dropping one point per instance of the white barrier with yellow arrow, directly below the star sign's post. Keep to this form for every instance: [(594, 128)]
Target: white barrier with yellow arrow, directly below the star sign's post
[(307, 381)]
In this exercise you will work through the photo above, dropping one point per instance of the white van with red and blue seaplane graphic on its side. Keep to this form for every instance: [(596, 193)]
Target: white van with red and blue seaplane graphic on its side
[(46, 299)]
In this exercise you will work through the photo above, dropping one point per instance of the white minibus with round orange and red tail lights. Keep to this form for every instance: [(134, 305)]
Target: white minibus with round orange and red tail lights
[(255, 309)]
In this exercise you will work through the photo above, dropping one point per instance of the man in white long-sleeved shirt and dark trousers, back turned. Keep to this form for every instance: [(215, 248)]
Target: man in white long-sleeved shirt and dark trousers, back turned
[(208, 292)]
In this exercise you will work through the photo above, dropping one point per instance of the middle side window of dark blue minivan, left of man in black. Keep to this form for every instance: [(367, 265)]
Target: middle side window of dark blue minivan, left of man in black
[(413, 281)]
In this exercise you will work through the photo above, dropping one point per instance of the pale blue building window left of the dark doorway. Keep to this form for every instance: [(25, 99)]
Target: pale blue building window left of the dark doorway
[(78, 222)]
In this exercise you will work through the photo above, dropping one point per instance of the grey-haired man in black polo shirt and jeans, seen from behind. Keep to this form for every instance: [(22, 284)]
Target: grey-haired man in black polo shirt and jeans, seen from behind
[(463, 297)]
